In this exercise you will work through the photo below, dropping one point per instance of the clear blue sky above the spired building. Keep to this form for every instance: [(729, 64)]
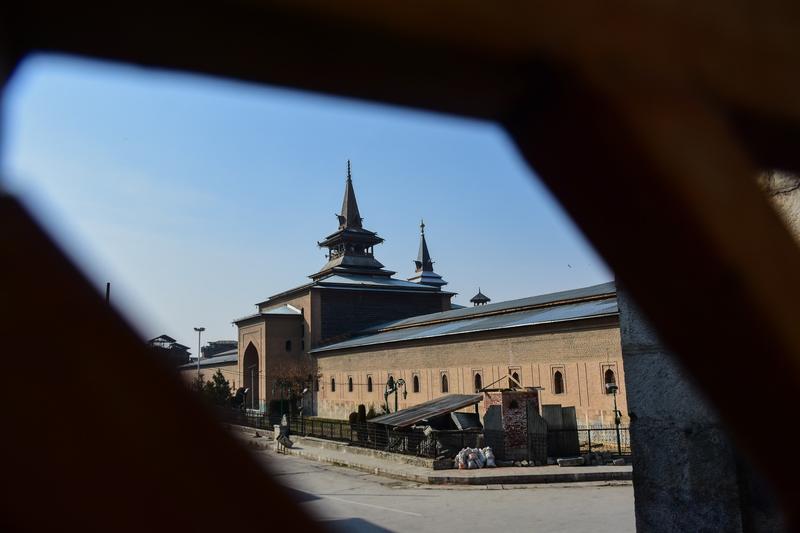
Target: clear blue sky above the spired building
[(198, 197)]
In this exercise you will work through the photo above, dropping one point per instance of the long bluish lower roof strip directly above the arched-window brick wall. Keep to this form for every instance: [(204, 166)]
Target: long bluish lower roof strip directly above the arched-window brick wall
[(530, 317)]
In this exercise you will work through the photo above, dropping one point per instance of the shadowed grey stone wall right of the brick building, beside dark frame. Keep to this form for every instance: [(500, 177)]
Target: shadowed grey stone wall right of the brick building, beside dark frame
[(684, 466)]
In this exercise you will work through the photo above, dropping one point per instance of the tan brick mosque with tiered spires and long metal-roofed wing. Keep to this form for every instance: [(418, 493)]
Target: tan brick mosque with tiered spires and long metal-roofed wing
[(354, 327)]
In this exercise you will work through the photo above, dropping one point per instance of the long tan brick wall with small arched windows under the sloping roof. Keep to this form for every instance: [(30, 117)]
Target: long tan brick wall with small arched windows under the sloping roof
[(582, 352)]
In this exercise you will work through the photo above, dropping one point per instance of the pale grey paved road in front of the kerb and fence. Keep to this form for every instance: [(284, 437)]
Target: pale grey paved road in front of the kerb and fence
[(349, 501)]
